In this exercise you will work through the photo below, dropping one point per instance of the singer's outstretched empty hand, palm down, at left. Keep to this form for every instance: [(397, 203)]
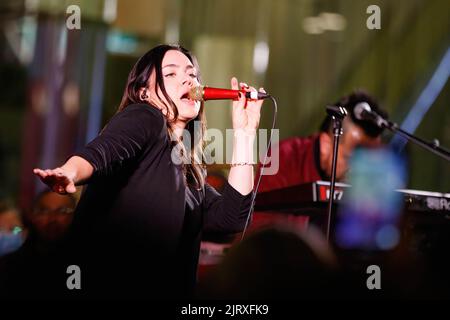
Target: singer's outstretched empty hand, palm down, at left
[(57, 179)]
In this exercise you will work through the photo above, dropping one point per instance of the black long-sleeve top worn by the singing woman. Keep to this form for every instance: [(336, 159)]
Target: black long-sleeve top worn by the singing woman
[(137, 228)]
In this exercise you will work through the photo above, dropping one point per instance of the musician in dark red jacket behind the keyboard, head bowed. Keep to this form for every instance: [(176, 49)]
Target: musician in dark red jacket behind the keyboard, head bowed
[(308, 159)]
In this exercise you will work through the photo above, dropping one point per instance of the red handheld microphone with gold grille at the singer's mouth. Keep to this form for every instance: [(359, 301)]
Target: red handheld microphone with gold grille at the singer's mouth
[(203, 93)]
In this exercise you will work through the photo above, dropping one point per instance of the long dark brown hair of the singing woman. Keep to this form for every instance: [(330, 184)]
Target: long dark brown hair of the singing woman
[(139, 78)]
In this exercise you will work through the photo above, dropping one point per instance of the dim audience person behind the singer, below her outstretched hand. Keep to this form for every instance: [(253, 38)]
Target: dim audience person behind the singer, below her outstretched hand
[(37, 269)]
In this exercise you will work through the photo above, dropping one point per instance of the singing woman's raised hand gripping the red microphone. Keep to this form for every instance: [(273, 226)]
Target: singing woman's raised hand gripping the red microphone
[(246, 113)]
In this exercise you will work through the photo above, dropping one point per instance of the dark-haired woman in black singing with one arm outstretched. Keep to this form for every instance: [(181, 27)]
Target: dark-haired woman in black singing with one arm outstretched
[(139, 222)]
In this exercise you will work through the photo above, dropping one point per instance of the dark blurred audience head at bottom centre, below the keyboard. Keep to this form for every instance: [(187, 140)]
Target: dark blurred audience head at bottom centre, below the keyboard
[(274, 263)]
